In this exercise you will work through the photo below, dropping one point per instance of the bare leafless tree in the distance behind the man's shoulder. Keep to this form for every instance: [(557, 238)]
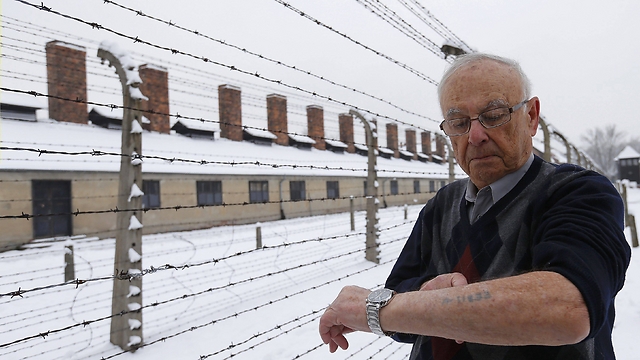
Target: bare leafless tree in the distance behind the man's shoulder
[(603, 145)]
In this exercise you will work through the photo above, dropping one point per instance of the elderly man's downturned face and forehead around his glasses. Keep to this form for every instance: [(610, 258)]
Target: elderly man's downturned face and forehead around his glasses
[(487, 155)]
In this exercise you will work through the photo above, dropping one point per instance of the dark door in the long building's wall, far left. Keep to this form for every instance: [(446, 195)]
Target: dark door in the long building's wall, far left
[(51, 197)]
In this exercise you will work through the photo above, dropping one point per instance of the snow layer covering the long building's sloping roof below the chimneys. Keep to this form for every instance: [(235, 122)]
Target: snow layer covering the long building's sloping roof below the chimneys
[(69, 137)]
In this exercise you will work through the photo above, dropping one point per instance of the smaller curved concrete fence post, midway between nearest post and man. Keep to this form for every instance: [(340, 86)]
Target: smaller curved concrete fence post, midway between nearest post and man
[(371, 249)]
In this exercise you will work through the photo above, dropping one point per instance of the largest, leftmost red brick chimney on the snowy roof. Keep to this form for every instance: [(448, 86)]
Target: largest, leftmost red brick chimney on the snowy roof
[(67, 78)]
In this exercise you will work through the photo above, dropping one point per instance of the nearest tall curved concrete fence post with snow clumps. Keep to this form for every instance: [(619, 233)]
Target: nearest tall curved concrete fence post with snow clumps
[(126, 329)]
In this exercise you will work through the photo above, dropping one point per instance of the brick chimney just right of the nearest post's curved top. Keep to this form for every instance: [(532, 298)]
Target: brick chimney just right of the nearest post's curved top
[(155, 86)]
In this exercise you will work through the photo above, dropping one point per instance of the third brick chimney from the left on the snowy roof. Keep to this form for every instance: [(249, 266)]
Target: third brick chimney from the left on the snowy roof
[(230, 109)]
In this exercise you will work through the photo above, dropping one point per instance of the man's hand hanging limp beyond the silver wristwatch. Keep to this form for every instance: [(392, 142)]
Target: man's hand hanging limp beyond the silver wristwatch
[(346, 314)]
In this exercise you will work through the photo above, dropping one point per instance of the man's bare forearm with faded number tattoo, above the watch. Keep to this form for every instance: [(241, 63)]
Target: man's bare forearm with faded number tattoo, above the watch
[(541, 308)]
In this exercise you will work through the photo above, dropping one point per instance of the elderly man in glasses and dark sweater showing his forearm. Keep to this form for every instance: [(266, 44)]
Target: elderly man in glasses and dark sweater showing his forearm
[(522, 260)]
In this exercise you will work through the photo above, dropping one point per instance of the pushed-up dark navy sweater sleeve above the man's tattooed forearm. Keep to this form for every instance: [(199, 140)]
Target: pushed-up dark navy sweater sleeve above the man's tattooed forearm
[(581, 237)]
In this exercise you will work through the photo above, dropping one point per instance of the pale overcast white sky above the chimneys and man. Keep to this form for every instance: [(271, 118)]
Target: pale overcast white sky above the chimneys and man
[(580, 55)]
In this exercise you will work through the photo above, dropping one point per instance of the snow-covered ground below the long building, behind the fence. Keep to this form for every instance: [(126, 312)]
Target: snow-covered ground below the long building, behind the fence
[(233, 300)]
